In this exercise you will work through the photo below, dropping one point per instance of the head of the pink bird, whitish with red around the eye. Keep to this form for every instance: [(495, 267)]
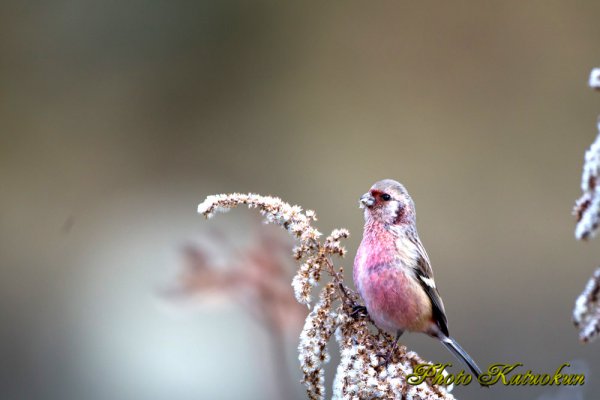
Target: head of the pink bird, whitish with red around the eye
[(389, 203)]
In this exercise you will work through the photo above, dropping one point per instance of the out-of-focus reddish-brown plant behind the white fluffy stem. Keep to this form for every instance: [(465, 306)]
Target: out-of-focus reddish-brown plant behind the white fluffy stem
[(257, 279)]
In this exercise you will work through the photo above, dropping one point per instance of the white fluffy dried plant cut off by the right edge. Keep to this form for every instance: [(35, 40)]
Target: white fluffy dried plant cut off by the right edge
[(586, 314)]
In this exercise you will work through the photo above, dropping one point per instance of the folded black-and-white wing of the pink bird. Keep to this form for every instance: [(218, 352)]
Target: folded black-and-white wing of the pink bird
[(425, 278)]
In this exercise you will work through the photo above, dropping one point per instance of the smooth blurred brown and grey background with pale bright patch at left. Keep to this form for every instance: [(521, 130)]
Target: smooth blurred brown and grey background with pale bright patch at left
[(118, 118)]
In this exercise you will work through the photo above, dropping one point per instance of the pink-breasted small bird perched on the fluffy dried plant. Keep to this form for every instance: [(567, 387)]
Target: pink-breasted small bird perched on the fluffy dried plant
[(393, 274)]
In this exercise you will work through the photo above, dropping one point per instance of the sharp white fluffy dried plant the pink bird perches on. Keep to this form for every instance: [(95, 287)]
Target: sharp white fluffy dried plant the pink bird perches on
[(360, 374)]
